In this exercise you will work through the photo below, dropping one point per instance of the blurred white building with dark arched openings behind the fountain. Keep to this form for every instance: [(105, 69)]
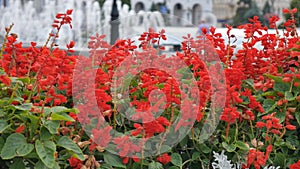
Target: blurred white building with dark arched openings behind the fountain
[(181, 12)]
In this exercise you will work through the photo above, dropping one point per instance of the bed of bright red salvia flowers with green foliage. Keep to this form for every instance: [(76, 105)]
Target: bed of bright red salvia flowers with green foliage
[(129, 106)]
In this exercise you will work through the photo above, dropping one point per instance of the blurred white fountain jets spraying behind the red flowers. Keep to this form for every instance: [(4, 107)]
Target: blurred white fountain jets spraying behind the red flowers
[(33, 24)]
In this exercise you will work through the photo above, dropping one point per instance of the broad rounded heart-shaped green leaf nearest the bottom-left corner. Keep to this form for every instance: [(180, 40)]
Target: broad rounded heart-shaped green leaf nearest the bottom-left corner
[(15, 145)]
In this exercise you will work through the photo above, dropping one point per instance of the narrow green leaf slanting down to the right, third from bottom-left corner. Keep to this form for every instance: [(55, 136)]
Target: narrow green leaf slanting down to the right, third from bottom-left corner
[(68, 144)]
